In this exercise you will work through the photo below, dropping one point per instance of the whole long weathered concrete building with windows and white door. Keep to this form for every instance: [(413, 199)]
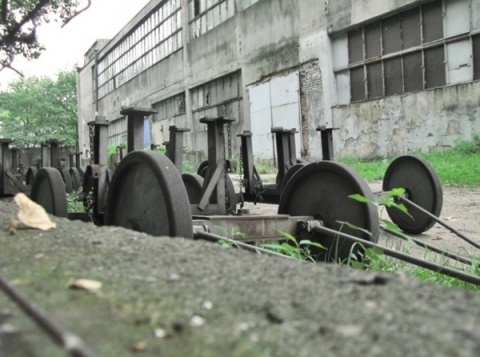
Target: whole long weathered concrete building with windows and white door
[(393, 76)]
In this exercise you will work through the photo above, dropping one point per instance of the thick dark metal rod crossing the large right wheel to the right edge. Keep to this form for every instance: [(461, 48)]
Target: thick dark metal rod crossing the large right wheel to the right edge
[(469, 278)]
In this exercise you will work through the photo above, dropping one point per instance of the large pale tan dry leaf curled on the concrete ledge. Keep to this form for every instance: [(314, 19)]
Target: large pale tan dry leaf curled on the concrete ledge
[(32, 214)]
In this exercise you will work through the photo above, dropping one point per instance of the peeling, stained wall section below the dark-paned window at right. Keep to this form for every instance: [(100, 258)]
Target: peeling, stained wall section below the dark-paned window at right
[(427, 121)]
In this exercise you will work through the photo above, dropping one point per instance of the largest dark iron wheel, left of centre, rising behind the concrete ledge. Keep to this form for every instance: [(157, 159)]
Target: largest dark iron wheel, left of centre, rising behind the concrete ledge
[(147, 194)]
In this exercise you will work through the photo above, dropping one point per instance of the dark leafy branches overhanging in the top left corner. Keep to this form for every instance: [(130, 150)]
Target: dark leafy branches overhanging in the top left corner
[(19, 20)]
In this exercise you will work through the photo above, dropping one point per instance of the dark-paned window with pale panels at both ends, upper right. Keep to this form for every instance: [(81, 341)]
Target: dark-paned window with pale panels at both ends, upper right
[(425, 47)]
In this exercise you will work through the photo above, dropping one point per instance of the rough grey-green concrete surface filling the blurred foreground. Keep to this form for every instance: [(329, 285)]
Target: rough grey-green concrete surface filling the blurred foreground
[(177, 297)]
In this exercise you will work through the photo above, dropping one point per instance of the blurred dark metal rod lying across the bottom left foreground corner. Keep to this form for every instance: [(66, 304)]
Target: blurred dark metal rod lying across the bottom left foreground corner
[(71, 343)]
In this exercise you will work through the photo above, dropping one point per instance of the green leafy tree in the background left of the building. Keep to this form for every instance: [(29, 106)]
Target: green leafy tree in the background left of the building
[(36, 109)]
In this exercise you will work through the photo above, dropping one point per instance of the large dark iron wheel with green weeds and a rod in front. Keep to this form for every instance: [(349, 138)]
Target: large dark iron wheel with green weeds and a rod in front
[(322, 190)]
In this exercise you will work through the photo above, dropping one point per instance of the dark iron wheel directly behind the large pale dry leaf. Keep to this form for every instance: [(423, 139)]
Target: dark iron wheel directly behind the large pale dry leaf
[(48, 190)]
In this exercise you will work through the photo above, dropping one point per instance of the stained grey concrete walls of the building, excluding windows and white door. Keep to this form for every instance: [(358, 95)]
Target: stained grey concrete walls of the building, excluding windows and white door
[(275, 37)]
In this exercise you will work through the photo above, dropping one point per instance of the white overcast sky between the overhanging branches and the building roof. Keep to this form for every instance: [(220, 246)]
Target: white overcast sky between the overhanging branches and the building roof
[(65, 47)]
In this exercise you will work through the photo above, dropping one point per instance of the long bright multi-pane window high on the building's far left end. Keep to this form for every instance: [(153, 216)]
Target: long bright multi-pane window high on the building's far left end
[(157, 37)]
